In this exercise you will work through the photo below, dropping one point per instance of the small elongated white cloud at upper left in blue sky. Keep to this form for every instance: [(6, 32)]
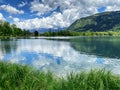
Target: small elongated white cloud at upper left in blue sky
[(11, 10)]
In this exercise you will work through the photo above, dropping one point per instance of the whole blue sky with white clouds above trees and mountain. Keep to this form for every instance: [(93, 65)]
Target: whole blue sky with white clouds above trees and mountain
[(36, 14)]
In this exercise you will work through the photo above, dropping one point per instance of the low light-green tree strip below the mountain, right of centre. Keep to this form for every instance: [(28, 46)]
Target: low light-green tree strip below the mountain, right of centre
[(74, 33)]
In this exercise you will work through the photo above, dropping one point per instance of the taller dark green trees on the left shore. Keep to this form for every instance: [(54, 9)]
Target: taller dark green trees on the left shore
[(7, 30)]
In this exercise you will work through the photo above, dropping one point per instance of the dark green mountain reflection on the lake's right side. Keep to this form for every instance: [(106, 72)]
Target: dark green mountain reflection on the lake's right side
[(99, 46)]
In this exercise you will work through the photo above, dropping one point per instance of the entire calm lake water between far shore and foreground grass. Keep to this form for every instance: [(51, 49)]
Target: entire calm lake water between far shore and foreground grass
[(62, 55)]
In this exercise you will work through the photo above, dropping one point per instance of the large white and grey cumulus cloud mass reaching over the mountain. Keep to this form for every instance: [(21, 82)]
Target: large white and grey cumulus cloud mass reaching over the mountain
[(70, 10)]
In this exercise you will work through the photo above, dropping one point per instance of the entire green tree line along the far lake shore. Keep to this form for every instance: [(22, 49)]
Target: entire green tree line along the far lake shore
[(7, 29)]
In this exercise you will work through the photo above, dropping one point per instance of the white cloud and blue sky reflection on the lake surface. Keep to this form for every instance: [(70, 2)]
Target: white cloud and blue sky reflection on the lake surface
[(56, 56)]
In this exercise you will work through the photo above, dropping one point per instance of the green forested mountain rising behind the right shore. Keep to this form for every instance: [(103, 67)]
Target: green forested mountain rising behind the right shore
[(99, 22)]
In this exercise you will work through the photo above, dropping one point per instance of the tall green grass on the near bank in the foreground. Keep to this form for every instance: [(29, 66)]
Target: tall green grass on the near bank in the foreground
[(17, 77)]
